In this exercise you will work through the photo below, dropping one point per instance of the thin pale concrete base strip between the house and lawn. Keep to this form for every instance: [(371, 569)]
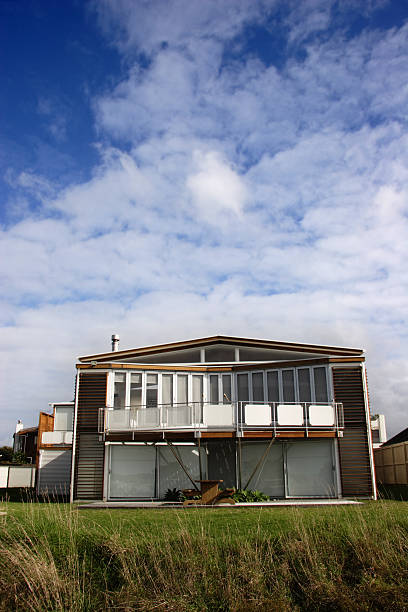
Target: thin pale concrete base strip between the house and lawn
[(158, 505)]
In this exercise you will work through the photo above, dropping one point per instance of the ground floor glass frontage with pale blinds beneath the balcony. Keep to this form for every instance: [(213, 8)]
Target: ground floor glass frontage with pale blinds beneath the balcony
[(282, 469)]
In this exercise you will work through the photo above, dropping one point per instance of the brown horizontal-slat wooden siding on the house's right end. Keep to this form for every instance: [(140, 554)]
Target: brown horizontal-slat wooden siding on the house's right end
[(355, 468)]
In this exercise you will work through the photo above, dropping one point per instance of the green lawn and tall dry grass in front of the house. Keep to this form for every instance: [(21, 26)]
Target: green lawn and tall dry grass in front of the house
[(54, 557)]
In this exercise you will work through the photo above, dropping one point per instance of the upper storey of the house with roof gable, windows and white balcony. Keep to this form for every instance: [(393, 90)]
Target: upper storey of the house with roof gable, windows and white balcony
[(220, 384)]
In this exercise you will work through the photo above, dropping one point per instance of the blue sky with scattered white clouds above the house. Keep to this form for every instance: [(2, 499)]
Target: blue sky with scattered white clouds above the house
[(176, 169)]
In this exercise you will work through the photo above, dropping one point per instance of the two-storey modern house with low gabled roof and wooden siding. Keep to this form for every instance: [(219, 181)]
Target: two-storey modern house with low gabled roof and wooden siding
[(289, 419)]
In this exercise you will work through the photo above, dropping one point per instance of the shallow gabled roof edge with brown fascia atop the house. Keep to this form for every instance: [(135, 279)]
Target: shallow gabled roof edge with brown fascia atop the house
[(225, 340)]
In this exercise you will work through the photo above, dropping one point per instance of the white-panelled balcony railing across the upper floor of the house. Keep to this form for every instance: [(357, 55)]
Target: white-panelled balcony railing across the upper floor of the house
[(235, 416)]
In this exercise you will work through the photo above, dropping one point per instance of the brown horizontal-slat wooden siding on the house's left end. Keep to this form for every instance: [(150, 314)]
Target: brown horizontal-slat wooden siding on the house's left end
[(89, 459)]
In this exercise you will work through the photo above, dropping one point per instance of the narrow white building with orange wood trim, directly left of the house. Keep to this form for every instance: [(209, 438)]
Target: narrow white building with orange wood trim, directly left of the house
[(55, 452)]
